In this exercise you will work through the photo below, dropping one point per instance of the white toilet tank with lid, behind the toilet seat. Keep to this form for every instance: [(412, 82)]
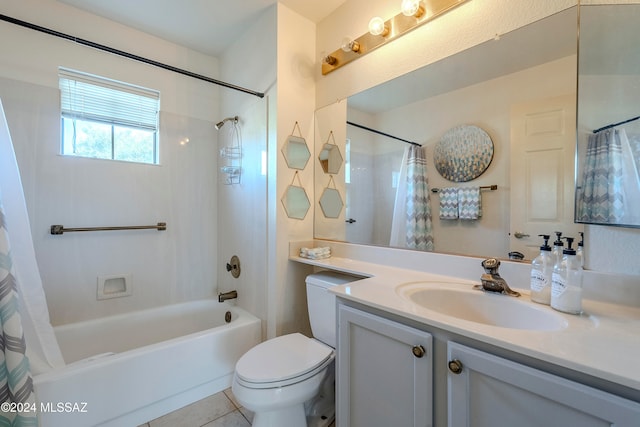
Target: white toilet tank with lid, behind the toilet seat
[(322, 304)]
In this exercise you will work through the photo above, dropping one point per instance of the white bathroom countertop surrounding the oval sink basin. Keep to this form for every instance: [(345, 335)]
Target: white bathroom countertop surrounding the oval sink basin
[(602, 342)]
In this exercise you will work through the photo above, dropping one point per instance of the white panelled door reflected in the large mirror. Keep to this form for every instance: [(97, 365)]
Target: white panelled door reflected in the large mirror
[(543, 140)]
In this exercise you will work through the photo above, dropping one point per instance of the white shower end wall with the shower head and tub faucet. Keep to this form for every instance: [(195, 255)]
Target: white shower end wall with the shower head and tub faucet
[(242, 209)]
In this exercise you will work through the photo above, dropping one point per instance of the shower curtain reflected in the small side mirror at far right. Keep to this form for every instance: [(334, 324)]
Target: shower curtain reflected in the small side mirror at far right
[(609, 178)]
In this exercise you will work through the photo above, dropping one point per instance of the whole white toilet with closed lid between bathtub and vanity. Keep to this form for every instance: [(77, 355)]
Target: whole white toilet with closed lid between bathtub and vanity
[(288, 381)]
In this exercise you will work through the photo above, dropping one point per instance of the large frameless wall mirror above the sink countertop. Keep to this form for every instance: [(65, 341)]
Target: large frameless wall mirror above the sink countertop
[(519, 88)]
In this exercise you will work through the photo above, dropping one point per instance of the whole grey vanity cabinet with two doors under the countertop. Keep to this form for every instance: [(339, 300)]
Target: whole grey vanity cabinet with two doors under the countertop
[(457, 382)]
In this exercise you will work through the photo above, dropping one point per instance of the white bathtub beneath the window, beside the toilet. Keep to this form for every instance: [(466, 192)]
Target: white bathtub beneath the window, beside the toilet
[(127, 369)]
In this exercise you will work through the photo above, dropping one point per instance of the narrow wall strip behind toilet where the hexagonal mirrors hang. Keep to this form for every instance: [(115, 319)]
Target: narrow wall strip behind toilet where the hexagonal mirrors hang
[(295, 103)]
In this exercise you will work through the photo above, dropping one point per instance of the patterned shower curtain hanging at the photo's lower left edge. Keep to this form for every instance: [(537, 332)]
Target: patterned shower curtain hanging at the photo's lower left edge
[(17, 400)]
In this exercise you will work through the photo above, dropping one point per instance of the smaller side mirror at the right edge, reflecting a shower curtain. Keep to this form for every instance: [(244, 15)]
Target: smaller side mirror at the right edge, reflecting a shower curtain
[(607, 182)]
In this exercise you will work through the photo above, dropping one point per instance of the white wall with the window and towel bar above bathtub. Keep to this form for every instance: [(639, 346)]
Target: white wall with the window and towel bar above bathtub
[(170, 266)]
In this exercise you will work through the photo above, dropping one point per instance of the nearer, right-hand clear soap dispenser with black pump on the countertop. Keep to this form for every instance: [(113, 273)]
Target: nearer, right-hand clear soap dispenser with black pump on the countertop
[(566, 282)]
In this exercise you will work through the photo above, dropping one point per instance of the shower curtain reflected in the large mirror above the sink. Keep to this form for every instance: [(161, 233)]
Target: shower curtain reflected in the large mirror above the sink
[(411, 225)]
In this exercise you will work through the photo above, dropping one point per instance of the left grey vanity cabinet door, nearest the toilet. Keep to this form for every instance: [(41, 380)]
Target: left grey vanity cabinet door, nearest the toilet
[(384, 372)]
